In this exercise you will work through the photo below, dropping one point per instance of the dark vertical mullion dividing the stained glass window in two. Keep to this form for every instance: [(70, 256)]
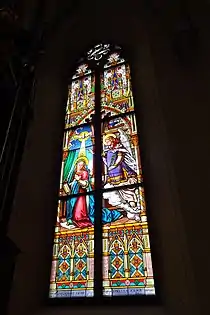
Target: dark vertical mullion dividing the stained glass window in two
[(98, 190)]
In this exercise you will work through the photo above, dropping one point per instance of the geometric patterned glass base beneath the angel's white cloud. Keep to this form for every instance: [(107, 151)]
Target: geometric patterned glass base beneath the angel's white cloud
[(127, 265)]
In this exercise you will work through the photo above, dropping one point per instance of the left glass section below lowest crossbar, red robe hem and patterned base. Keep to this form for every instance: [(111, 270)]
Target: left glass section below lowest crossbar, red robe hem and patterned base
[(72, 270)]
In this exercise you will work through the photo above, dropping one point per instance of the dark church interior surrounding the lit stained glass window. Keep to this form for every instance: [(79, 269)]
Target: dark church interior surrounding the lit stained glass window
[(169, 50)]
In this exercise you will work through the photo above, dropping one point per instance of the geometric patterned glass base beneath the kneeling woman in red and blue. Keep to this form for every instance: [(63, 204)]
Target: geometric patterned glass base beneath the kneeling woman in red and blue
[(72, 268)]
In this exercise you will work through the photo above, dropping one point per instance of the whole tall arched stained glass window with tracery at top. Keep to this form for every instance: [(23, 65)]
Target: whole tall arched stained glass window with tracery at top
[(101, 240)]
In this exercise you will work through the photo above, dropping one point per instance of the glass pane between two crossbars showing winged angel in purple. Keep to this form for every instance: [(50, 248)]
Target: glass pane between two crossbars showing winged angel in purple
[(120, 154)]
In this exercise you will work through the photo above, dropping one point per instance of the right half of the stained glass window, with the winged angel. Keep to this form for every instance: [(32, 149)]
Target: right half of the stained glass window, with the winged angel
[(127, 264)]
